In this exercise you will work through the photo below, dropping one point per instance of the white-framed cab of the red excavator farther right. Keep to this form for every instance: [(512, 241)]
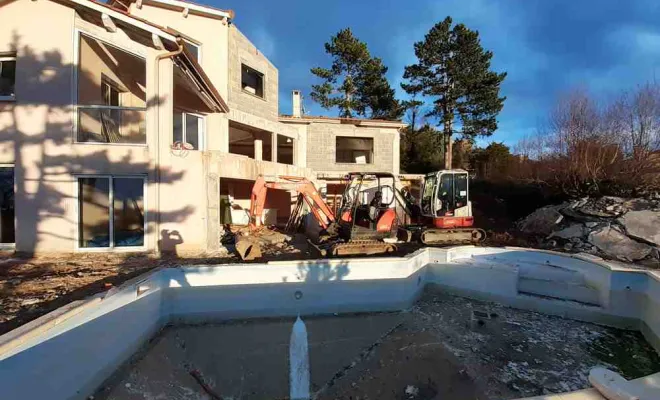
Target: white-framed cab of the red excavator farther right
[(445, 199)]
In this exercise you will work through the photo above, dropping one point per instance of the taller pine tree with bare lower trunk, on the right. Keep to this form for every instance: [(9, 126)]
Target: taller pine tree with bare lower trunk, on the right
[(454, 70)]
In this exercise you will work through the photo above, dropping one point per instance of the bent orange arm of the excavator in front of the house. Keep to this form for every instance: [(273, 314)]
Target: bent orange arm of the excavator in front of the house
[(319, 208)]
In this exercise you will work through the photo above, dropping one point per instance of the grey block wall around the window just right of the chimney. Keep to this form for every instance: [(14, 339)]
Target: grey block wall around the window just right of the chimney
[(322, 147)]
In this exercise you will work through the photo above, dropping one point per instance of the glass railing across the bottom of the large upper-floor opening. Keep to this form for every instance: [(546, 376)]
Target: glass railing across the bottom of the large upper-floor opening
[(111, 124)]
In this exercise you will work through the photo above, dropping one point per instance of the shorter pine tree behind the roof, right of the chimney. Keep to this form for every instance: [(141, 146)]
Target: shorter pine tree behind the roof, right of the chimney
[(355, 83)]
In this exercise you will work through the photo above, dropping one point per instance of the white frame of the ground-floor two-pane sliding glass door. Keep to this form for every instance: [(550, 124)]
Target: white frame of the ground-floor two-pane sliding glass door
[(111, 216)]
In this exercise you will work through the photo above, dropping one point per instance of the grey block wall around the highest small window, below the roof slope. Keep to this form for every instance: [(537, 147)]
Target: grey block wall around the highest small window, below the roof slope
[(242, 51)]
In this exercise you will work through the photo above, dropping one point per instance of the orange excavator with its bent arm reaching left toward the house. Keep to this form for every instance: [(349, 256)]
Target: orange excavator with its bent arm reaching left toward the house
[(365, 222)]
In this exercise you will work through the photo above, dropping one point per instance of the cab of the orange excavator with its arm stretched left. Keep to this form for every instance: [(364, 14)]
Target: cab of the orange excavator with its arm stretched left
[(366, 211)]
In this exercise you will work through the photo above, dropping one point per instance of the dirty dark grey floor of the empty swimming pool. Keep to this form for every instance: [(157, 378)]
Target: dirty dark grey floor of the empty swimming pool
[(445, 347)]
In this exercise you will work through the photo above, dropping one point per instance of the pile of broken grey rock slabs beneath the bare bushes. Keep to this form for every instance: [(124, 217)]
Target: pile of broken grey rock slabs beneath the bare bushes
[(610, 227)]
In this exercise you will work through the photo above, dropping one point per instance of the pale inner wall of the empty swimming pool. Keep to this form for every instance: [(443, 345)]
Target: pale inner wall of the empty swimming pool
[(68, 353)]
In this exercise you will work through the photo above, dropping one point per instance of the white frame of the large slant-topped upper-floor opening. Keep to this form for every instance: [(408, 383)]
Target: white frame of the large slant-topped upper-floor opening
[(78, 33)]
